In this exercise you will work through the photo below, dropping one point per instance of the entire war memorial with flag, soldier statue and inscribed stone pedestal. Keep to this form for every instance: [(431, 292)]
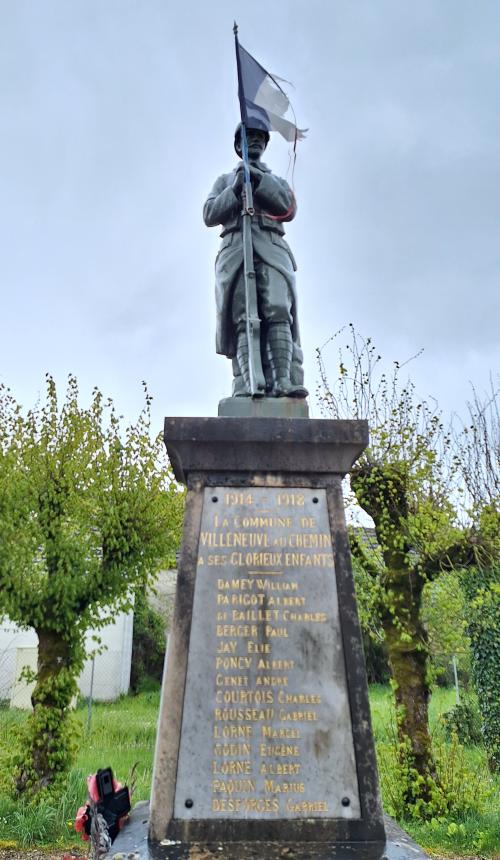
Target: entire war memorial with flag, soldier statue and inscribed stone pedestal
[(264, 745)]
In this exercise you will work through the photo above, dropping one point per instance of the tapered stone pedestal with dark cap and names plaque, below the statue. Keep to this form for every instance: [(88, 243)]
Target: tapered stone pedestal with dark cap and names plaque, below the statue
[(264, 745)]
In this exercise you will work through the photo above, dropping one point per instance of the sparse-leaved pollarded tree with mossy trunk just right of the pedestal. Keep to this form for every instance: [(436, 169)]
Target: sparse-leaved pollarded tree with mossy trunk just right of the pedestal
[(402, 482)]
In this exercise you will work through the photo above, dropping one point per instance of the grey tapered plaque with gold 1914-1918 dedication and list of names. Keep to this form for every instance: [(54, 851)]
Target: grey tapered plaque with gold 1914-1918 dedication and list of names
[(266, 728)]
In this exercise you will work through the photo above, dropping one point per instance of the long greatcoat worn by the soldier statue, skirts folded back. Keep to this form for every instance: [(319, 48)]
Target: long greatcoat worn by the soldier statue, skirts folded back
[(274, 203)]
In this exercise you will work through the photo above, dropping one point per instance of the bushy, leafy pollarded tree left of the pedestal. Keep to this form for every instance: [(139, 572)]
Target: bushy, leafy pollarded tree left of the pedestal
[(87, 513)]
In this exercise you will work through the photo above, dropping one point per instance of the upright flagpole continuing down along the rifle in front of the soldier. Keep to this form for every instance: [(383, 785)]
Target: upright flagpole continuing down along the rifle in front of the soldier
[(256, 373)]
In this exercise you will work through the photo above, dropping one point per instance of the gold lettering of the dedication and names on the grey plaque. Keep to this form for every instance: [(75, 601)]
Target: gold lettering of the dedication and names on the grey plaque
[(260, 603)]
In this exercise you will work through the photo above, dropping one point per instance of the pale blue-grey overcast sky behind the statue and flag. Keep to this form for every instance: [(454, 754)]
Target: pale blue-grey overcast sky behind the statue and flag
[(116, 117)]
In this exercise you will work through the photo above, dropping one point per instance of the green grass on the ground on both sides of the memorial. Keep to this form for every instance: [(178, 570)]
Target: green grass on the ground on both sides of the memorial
[(122, 735)]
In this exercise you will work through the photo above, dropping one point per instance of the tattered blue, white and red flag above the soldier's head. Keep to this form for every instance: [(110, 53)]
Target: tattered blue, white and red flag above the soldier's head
[(263, 103)]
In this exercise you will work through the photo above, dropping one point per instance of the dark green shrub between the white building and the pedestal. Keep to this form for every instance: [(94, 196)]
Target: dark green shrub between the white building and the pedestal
[(148, 646)]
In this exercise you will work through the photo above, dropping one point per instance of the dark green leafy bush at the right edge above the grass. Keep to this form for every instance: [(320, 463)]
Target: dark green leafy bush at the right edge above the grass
[(482, 588)]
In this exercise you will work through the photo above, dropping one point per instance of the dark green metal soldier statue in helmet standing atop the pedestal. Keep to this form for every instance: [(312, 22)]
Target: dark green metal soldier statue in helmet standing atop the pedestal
[(274, 279)]
